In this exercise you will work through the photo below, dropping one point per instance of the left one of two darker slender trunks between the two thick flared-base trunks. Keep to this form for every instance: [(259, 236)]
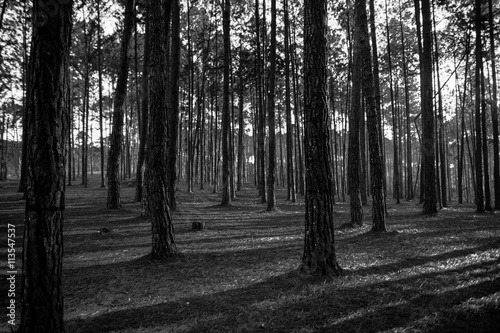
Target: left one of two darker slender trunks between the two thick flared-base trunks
[(226, 119)]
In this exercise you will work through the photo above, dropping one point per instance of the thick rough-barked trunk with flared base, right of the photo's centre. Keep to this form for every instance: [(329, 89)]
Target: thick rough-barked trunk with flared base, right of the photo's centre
[(319, 246)]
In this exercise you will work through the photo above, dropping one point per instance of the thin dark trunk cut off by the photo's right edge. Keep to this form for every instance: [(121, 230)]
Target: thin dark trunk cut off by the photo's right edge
[(494, 109)]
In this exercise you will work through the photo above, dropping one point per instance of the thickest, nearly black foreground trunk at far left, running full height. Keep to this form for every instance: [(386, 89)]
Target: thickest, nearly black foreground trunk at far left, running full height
[(42, 309)]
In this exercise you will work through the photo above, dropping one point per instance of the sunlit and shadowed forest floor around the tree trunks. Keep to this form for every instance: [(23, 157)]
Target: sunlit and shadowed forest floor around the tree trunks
[(428, 274)]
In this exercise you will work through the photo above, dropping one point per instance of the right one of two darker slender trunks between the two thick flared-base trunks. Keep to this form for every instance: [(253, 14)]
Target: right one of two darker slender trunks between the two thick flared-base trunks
[(271, 175)]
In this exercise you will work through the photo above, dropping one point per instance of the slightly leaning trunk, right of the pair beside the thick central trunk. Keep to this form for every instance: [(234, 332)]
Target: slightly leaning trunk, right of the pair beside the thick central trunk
[(362, 46)]
